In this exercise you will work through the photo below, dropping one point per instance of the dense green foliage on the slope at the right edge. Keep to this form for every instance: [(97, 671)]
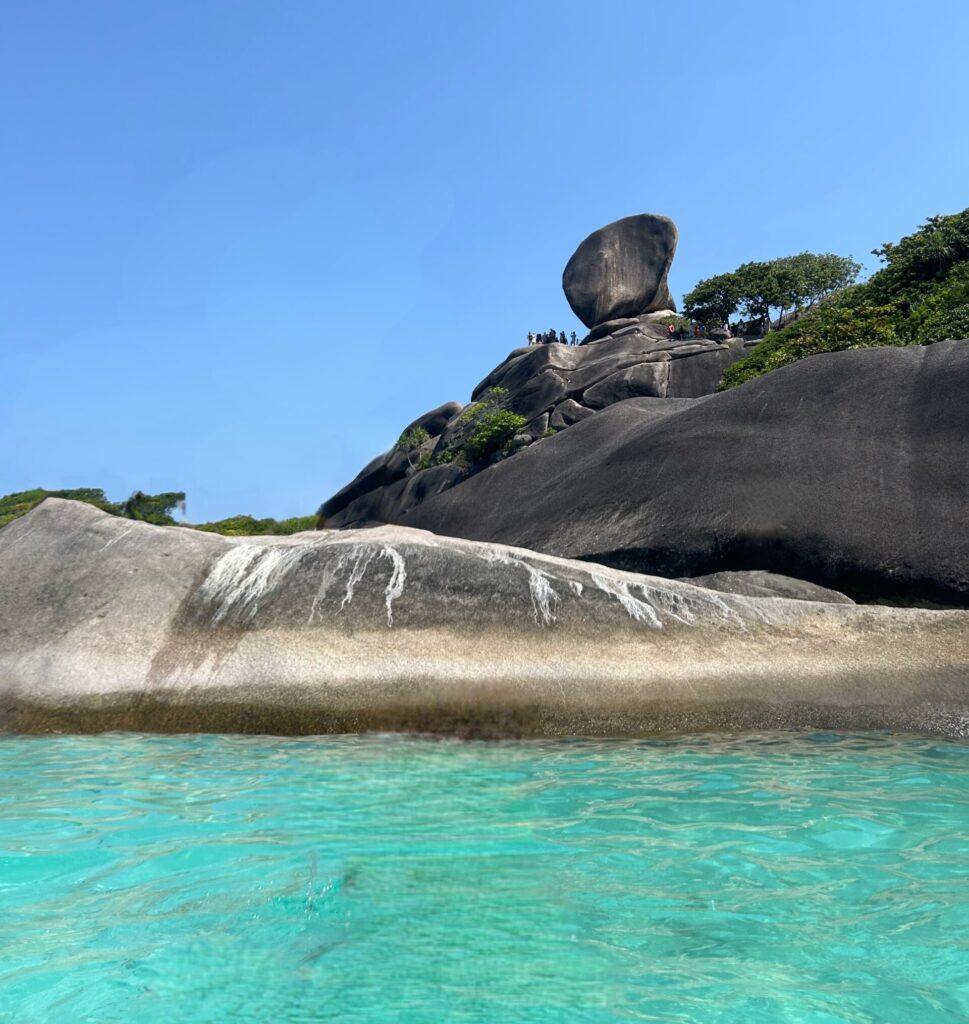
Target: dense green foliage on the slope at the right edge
[(920, 296)]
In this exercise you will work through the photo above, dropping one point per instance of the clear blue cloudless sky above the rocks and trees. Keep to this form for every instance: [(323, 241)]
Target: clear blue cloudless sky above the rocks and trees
[(243, 244)]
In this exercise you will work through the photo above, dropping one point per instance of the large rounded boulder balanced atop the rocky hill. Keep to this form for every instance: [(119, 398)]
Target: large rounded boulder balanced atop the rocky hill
[(620, 271)]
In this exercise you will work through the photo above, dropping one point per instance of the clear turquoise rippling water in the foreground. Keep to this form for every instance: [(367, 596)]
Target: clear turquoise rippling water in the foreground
[(772, 879)]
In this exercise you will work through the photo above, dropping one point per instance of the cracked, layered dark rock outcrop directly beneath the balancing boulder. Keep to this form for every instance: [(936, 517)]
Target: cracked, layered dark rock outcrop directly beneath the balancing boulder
[(554, 388)]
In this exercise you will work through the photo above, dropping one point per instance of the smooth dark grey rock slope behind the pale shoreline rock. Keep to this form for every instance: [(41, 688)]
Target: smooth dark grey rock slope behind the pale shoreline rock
[(848, 470)]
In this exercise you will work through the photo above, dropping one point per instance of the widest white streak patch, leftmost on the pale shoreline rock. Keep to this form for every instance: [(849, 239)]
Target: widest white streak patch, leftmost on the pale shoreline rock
[(243, 576)]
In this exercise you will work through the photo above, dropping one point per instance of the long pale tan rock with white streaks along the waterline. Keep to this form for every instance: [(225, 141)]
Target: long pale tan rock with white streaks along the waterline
[(111, 624)]
